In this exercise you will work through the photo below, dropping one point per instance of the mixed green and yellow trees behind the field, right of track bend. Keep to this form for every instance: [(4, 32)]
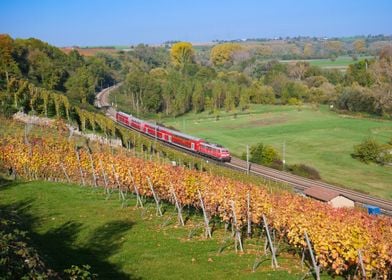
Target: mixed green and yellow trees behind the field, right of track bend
[(232, 80)]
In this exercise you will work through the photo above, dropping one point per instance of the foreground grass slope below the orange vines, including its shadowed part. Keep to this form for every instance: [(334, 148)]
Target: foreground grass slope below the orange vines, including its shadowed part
[(75, 225)]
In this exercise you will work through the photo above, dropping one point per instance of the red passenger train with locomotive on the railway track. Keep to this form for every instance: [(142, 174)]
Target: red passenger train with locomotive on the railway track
[(182, 140)]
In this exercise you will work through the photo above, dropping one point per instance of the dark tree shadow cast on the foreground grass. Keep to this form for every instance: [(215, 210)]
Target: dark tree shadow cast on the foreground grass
[(57, 246)]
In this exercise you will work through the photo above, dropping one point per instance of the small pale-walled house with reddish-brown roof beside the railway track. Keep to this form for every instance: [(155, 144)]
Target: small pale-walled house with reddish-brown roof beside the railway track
[(333, 198)]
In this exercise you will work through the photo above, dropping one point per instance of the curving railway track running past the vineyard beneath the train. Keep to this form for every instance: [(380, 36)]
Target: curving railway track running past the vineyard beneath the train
[(299, 183)]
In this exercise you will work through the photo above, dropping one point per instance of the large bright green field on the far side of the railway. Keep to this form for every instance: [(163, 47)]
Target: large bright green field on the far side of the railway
[(318, 138)]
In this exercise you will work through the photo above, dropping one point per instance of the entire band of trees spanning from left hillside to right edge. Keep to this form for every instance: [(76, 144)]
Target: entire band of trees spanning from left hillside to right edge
[(176, 80)]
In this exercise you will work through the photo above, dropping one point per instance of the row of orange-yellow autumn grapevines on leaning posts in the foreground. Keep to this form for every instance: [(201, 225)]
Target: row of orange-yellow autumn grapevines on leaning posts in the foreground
[(344, 241)]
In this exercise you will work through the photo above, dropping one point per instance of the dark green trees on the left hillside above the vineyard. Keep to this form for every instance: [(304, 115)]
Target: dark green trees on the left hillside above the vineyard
[(48, 67)]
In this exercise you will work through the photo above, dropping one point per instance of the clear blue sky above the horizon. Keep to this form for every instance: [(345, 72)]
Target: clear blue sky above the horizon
[(125, 22)]
